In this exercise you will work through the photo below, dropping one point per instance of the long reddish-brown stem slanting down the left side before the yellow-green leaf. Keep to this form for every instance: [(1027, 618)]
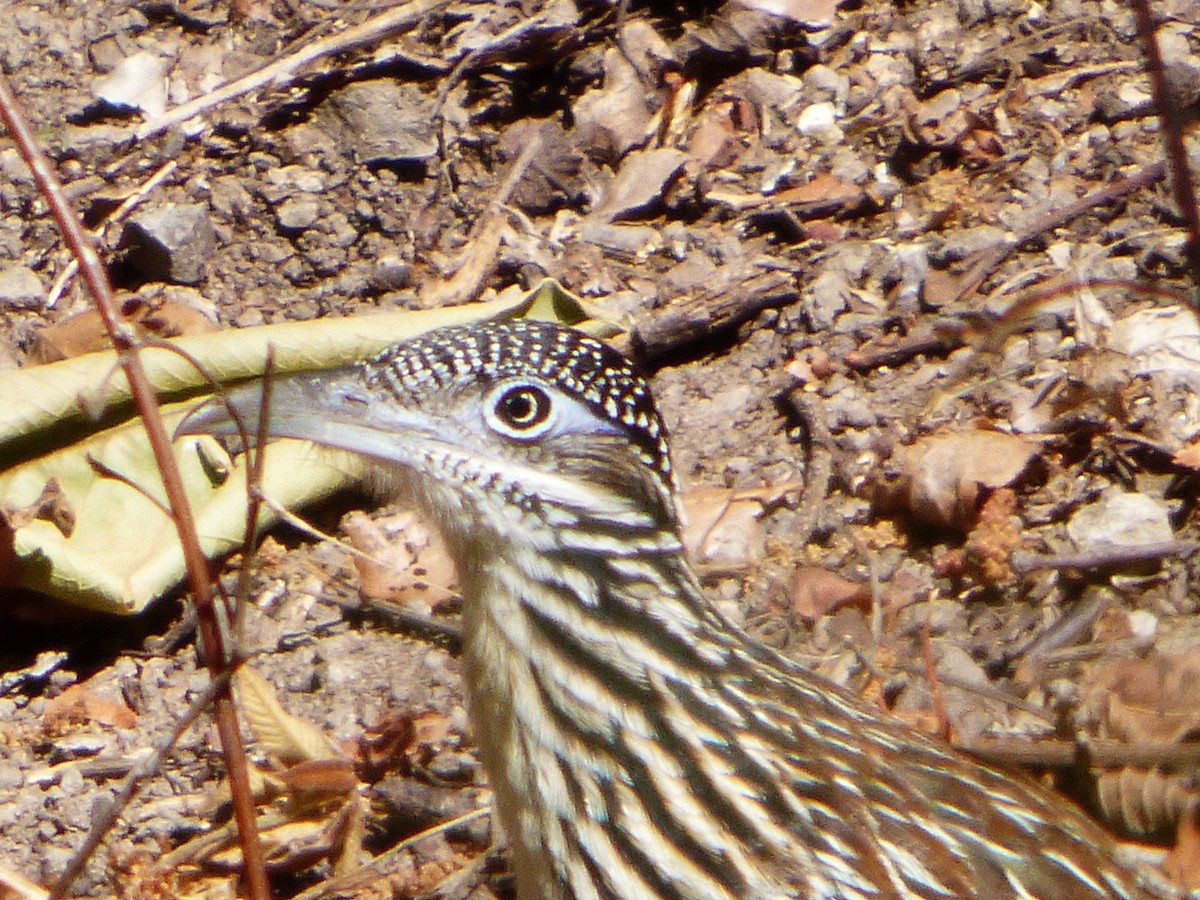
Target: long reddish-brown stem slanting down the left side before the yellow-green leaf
[(125, 341)]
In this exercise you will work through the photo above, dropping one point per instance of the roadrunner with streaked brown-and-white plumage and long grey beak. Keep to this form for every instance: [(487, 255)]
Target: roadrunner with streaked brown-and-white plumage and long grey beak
[(639, 745)]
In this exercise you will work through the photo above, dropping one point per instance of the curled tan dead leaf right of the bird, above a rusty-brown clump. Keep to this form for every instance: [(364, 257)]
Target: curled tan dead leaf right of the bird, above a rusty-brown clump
[(944, 478)]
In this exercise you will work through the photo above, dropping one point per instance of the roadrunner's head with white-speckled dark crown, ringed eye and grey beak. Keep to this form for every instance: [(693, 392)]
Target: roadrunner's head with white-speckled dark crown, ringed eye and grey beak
[(489, 428)]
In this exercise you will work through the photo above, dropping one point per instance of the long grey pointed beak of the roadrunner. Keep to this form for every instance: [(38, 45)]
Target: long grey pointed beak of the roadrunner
[(329, 409)]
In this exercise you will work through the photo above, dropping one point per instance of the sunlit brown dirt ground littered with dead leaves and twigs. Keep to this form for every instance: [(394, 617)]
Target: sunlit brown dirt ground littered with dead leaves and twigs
[(847, 242)]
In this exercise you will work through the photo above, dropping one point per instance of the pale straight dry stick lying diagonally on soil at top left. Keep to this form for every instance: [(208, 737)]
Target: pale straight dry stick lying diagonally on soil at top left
[(375, 29)]
